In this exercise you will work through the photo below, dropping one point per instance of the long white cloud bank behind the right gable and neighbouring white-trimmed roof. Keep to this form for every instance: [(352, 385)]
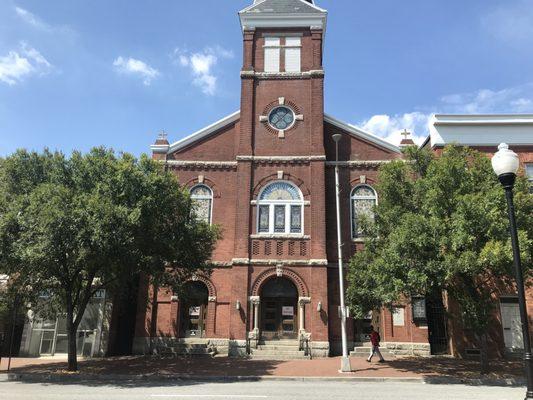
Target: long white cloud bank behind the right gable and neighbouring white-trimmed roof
[(518, 99)]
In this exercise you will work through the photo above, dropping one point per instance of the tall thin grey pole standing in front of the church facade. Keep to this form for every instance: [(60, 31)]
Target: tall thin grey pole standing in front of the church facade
[(345, 361)]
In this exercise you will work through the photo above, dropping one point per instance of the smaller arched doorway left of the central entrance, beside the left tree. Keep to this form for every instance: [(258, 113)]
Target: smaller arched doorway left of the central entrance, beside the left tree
[(194, 309)]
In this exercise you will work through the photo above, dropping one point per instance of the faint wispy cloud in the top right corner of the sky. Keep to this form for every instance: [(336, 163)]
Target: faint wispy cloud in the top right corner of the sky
[(511, 22)]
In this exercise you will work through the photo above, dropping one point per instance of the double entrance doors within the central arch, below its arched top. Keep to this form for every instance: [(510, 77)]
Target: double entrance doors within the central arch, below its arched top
[(279, 318)]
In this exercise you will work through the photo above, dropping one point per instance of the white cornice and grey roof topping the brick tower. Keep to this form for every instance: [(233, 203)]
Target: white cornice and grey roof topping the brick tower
[(283, 14)]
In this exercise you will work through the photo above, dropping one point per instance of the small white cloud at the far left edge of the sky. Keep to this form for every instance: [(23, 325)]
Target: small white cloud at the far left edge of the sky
[(21, 63)]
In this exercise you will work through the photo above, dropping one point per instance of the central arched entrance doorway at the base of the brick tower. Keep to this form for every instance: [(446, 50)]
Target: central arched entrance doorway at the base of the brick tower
[(279, 305)]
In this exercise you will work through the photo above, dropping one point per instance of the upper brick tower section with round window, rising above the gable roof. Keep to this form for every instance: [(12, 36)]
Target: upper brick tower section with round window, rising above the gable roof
[(282, 98)]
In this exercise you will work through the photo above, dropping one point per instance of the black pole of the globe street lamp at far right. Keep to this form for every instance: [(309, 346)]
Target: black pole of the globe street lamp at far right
[(528, 359)]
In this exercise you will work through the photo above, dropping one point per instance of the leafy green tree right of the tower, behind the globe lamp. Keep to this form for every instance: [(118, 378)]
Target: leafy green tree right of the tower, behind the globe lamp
[(441, 225)]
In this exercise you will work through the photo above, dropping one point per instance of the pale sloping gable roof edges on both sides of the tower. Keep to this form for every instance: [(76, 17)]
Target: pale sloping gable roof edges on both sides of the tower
[(232, 118)]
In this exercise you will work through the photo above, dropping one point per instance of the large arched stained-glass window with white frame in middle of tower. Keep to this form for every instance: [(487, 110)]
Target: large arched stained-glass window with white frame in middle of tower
[(280, 209)]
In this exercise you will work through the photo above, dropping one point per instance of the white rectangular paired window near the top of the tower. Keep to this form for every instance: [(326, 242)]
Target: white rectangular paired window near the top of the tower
[(292, 51)]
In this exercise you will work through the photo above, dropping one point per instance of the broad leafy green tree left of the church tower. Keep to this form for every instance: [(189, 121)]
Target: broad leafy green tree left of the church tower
[(70, 226)]
